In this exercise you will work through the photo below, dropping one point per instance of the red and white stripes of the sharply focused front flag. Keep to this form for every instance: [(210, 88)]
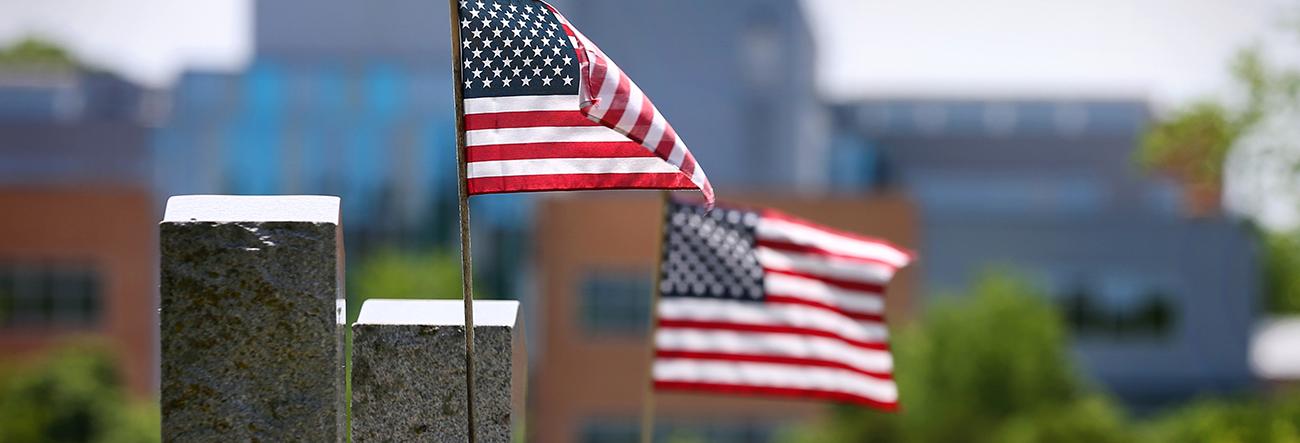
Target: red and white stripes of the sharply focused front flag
[(608, 137)]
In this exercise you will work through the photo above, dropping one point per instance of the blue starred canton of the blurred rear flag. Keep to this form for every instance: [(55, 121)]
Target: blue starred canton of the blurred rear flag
[(710, 255)]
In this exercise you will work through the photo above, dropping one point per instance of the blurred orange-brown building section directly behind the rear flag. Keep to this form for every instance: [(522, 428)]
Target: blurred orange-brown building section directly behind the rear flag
[(596, 263)]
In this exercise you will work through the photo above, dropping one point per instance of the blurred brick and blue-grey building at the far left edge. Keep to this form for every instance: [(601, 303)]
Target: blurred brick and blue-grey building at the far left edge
[(77, 244)]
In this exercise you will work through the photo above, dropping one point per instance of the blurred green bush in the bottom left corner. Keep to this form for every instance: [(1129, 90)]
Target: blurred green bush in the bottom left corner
[(73, 396)]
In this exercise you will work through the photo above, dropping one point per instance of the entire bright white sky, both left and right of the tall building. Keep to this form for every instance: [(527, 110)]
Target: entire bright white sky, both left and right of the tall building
[(1164, 50)]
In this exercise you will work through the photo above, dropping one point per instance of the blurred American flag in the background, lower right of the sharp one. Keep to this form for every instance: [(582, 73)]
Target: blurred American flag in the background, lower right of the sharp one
[(757, 302)]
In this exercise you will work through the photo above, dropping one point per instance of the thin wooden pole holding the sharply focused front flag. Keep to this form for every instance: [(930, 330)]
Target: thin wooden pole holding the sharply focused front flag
[(467, 276)]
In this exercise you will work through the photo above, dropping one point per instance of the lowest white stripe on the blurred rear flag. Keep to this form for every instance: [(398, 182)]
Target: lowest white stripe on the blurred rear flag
[(766, 375)]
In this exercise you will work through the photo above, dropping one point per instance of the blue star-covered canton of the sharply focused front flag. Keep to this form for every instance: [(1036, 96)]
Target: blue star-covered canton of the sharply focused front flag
[(515, 47)]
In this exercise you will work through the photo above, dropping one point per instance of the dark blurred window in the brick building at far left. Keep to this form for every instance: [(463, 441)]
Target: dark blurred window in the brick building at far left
[(50, 296)]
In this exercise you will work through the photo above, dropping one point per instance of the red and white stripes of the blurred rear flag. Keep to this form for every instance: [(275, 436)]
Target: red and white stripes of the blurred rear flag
[(820, 333)]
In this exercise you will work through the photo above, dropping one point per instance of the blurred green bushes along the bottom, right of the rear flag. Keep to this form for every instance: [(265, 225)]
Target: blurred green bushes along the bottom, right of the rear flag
[(995, 367)]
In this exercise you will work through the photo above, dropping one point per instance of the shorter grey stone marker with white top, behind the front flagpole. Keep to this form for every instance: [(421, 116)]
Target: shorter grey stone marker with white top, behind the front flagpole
[(409, 371)]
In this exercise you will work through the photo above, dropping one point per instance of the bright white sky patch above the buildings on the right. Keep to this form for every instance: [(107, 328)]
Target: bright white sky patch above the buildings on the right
[(1163, 50)]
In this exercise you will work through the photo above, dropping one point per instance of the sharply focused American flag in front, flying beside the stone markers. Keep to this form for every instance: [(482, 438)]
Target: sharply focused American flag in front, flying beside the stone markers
[(548, 111)]
